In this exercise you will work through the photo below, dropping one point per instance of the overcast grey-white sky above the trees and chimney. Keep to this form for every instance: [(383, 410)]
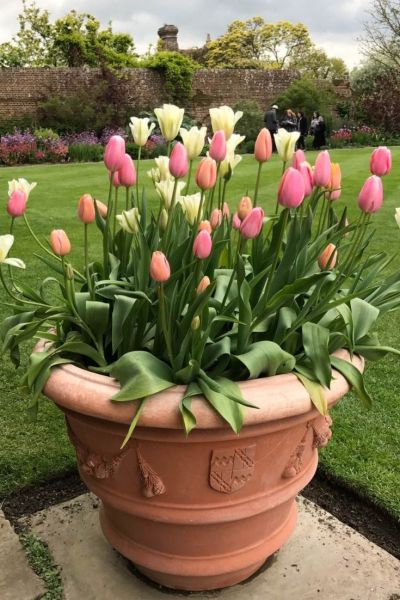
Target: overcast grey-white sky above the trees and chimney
[(334, 25)]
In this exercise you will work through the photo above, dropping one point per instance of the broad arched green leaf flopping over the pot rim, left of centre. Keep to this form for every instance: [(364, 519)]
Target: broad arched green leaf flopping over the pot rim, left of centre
[(141, 375)]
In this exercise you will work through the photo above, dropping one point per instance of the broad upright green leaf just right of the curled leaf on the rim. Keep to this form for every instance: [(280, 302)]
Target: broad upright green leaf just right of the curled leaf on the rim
[(316, 349)]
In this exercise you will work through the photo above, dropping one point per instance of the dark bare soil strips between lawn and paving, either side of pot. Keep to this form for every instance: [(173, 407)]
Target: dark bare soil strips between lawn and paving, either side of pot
[(372, 521)]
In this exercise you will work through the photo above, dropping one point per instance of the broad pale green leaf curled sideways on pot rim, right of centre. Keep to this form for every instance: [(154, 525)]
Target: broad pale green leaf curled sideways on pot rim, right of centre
[(265, 358)]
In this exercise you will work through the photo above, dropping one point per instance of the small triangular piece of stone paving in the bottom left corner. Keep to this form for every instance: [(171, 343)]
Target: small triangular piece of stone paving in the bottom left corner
[(17, 580)]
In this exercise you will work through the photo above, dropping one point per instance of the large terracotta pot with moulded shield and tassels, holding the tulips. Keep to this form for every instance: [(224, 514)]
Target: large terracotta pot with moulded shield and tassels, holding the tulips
[(204, 511)]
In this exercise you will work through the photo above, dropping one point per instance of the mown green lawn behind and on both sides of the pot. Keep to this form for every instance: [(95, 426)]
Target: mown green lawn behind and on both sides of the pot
[(365, 448)]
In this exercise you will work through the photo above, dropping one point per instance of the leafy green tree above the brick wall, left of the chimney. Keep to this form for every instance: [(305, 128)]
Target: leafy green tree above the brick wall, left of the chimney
[(74, 40)]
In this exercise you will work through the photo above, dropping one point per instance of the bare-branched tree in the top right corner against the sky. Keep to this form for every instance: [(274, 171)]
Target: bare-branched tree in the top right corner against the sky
[(382, 33)]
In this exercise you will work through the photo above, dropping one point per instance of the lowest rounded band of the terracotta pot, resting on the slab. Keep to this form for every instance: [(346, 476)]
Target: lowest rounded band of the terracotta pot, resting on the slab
[(199, 573)]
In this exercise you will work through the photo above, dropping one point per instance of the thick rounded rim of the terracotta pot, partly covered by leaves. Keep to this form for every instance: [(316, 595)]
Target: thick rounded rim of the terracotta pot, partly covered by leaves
[(278, 397)]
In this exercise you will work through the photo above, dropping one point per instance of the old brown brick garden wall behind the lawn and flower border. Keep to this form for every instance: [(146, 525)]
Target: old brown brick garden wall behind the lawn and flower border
[(22, 89)]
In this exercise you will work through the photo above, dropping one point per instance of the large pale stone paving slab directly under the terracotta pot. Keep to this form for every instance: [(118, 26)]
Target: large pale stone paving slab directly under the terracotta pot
[(323, 560)]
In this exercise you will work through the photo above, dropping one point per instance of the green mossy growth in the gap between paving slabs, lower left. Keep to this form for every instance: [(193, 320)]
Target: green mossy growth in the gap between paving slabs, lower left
[(42, 563)]
